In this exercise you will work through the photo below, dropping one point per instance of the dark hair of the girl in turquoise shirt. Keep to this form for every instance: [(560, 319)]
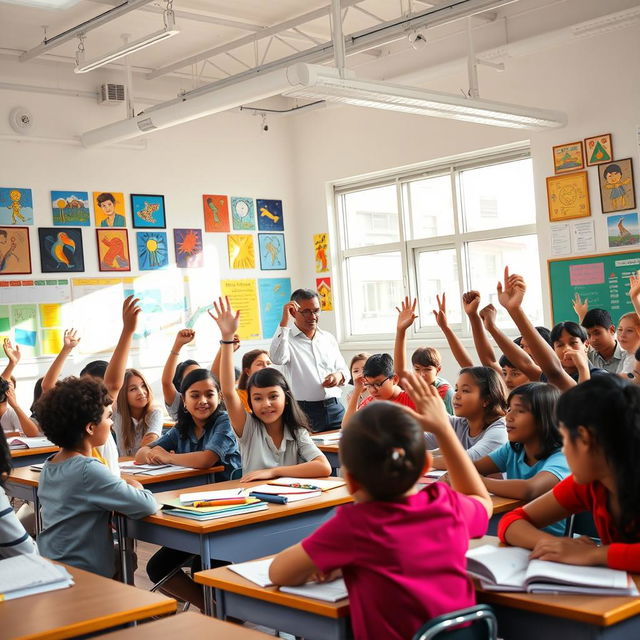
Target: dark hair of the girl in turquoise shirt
[(540, 399)]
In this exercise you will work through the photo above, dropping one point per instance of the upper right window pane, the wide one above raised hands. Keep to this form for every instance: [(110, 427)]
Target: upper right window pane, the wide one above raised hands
[(500, 195)]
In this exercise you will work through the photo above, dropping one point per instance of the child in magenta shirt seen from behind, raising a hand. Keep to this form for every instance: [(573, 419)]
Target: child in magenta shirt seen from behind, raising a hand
[(401, 550)]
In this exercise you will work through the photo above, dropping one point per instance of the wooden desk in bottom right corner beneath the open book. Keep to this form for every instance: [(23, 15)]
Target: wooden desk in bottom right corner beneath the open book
[(531, 616)]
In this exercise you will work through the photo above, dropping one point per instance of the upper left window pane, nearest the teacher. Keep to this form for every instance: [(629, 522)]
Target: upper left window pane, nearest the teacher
[(372, 216)]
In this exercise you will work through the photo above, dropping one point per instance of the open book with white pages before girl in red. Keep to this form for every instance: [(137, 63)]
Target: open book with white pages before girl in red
[(510, 569)]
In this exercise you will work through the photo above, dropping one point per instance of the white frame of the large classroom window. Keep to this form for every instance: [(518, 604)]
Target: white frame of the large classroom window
[(410, 249)]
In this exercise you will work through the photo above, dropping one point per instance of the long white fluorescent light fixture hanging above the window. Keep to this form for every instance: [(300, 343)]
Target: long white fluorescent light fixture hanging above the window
[(315, 82)]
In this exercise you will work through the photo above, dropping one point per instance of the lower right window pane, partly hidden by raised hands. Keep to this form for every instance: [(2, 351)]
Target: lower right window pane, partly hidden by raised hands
[(487, 260)]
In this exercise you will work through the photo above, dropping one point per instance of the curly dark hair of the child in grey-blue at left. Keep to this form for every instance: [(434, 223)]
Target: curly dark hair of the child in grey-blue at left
[(64, 411)]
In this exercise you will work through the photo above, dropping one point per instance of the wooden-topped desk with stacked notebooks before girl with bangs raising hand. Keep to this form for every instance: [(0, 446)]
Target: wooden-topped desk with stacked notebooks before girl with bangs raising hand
[(235, 538)]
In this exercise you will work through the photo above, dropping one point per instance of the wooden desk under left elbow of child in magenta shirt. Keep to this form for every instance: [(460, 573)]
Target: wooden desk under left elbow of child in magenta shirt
[(241, 598)]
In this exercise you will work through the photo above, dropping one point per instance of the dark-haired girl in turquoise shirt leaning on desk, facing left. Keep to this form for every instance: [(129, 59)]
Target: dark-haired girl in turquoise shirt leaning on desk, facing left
[(532, 459)]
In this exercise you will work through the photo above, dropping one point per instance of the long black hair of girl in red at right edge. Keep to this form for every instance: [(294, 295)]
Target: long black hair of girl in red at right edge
[(609, 409)]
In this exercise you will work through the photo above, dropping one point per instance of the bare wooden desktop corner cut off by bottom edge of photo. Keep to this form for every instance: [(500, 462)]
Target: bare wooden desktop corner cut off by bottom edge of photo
[(187, 625)]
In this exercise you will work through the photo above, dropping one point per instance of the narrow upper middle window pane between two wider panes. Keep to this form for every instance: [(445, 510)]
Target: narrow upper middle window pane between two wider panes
[(431, 207)]
